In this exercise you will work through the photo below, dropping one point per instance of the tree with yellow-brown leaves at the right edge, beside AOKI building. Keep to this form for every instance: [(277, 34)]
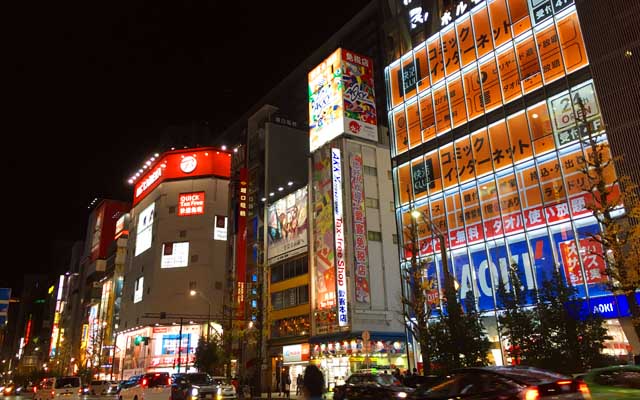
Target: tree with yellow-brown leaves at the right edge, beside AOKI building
[(620, 235)]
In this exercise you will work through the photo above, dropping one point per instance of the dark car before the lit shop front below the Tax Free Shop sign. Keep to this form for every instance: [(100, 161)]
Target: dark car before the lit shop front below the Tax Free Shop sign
[(371, 386)]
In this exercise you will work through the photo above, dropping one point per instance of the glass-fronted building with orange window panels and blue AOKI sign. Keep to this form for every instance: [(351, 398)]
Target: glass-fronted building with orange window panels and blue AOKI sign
[(485, 143)]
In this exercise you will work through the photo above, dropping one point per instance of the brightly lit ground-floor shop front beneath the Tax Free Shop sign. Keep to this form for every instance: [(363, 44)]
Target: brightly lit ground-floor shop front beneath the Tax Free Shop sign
[(340, 358)]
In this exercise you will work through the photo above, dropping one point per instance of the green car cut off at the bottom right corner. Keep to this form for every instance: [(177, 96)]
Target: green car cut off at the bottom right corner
[(615, 382)]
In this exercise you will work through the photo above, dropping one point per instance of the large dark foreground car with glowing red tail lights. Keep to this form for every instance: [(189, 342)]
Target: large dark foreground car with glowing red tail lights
[(506, 383)]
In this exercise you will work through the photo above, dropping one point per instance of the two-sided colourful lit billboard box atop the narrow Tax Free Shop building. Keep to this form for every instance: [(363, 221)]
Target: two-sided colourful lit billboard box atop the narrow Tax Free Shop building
[(342, 99)]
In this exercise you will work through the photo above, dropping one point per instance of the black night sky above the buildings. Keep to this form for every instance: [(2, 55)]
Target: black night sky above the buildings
[(93, 85)]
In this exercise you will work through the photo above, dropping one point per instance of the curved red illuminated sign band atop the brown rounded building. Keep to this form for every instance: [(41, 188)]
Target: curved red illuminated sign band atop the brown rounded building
[(183, 164)]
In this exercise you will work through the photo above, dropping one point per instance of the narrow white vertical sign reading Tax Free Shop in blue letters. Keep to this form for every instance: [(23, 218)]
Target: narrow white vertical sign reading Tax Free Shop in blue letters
[(341, 271)]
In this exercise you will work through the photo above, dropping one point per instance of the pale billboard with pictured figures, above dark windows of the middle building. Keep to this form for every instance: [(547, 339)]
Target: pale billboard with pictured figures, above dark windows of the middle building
[(287, 226)]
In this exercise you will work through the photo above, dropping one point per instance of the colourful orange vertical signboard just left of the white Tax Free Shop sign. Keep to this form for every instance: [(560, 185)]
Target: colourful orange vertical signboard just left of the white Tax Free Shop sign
[(323, 247)]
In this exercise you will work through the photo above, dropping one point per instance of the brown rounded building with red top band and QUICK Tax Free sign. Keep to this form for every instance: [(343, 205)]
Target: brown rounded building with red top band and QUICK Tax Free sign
[(174, 272)]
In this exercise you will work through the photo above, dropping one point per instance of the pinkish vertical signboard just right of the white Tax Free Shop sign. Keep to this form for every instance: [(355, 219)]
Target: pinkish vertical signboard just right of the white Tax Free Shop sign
[(359, 231)]
